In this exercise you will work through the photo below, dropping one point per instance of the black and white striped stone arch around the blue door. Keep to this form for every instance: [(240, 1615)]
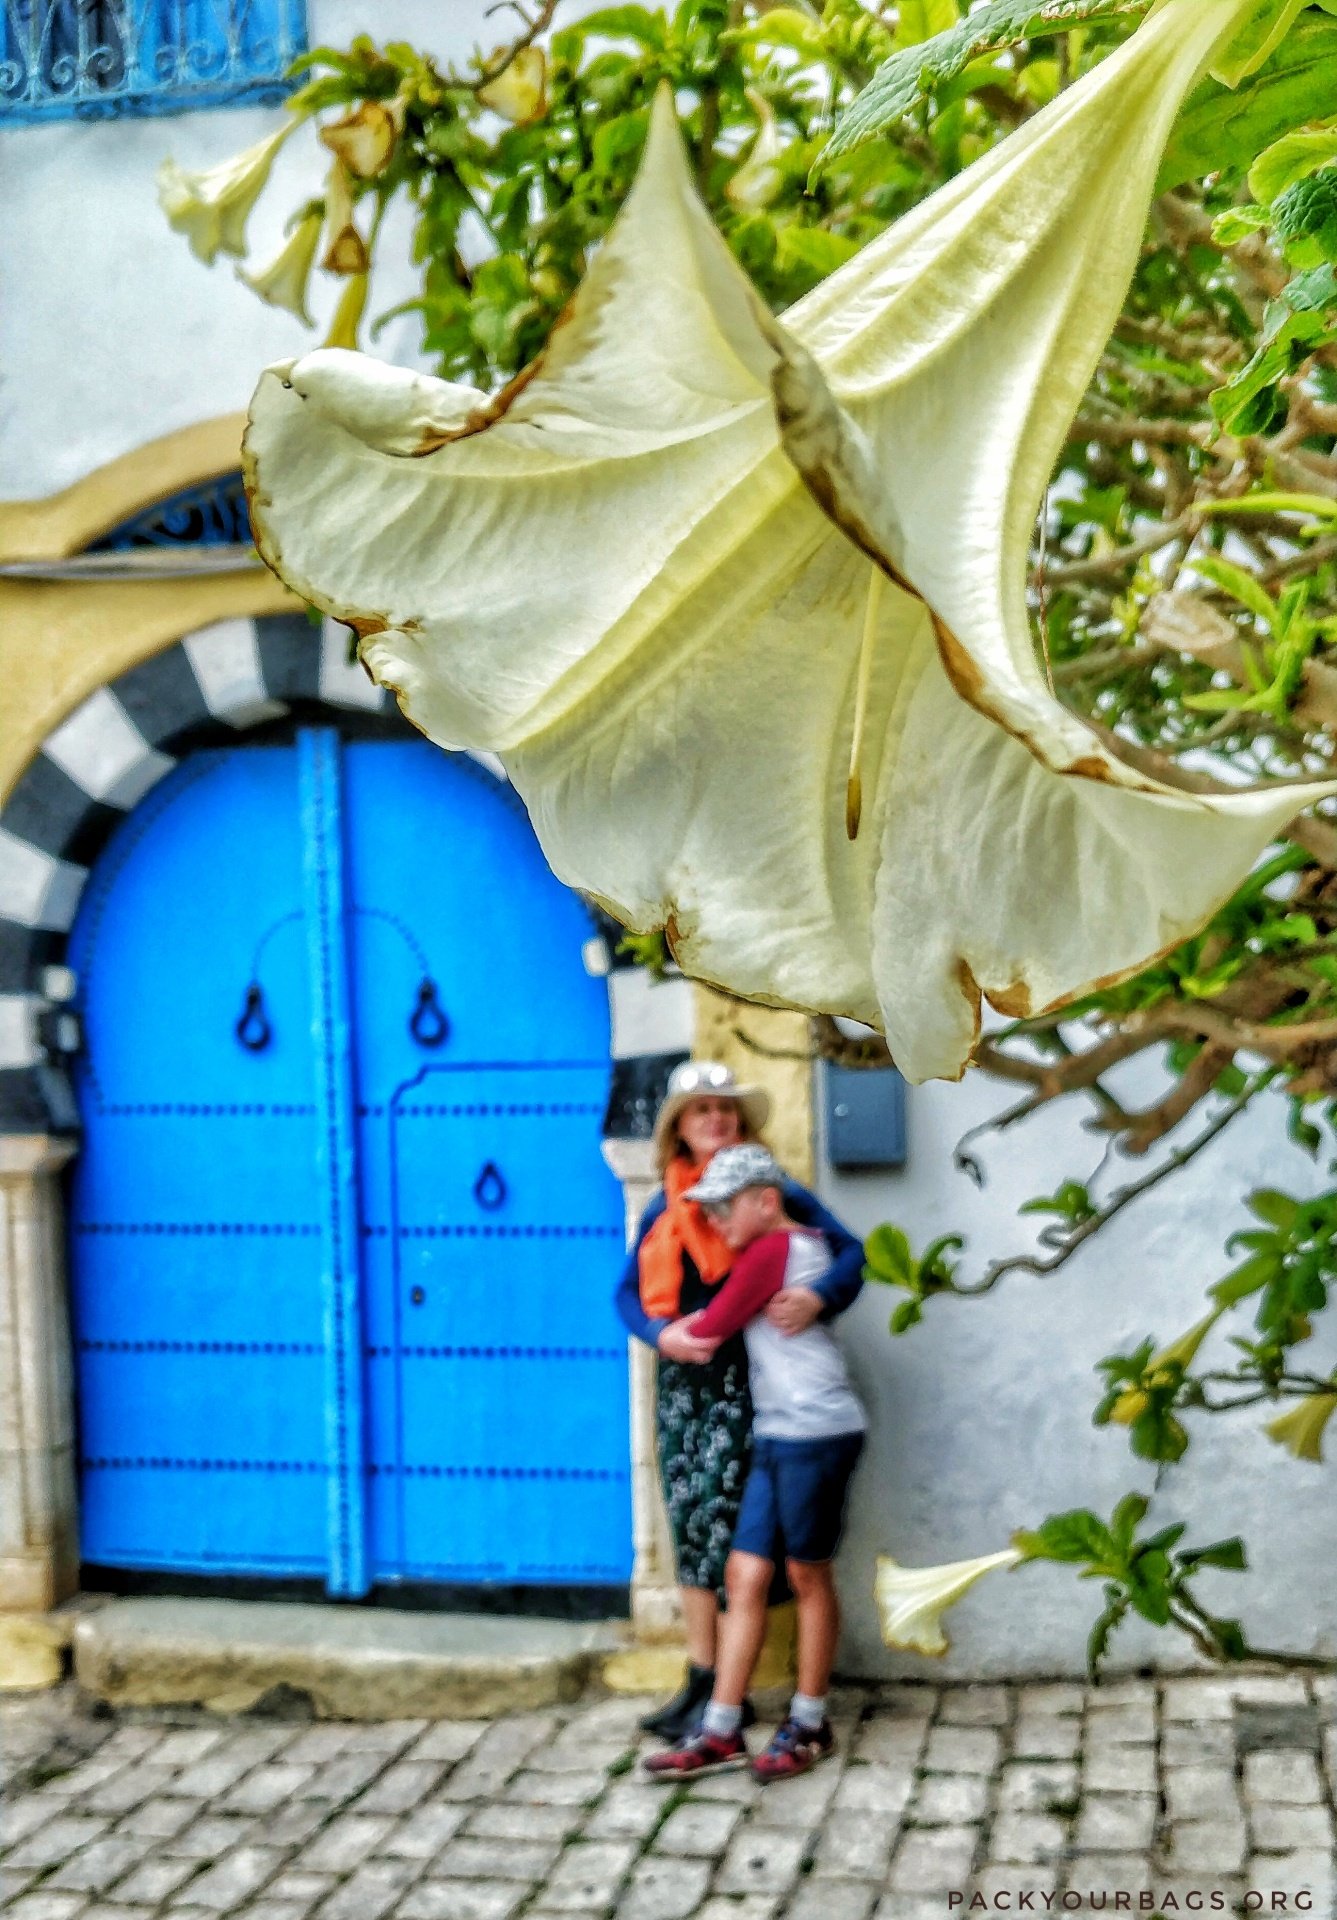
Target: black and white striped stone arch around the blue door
[(103, 759)]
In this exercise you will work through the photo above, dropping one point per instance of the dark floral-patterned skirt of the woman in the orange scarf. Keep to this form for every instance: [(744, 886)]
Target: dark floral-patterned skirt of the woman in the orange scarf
[(704, 1454)]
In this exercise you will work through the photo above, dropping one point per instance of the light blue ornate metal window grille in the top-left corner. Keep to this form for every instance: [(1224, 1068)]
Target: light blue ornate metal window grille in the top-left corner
[(101, 59)]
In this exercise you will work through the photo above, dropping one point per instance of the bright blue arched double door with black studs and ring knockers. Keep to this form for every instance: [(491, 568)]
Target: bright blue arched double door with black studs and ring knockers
[(341, 1230)]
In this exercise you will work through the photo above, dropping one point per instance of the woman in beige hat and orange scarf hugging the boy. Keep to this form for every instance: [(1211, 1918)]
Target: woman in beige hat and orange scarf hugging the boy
[(704, 1410)]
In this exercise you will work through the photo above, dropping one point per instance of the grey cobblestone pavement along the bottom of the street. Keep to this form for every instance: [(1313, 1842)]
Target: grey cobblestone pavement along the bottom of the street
[(1186, 1796)]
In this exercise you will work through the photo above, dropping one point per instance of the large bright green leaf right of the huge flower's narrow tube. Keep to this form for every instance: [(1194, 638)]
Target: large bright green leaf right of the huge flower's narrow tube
[(1225, 130)]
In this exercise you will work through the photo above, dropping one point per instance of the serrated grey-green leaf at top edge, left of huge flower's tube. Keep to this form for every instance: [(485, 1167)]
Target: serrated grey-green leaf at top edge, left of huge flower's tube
[(917, 70)]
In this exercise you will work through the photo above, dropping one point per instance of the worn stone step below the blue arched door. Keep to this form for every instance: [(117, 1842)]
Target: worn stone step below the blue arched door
[(352, 1664)]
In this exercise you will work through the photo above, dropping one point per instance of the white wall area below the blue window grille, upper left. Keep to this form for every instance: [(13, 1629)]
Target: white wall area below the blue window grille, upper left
[(110, 329)]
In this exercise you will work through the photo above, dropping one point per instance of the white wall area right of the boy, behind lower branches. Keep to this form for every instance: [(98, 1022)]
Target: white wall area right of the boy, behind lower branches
[(983, 1414)]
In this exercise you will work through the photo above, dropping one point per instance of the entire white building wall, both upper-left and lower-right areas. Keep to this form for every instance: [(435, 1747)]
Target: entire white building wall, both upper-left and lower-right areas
[(112, 333)]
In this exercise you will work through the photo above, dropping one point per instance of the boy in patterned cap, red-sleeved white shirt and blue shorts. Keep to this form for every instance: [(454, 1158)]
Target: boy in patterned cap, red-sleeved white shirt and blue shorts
[(808, 1435)]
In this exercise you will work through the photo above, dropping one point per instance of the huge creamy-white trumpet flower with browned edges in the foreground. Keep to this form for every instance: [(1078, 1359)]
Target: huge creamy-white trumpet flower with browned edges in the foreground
[(741, 602)]
